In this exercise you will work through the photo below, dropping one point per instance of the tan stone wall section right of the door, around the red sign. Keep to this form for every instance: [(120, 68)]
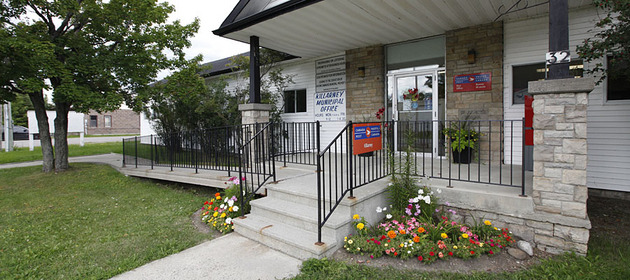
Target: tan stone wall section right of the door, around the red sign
[(487, 42)]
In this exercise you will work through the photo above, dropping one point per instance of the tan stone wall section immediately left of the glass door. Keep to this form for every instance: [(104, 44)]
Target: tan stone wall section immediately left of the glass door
[(365, 91)]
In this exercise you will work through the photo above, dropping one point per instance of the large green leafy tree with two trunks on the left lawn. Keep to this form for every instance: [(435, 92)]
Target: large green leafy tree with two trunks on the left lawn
[(95, 54)]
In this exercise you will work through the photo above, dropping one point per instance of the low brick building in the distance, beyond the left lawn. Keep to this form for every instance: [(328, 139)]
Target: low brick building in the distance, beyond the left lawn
[(123, 121)]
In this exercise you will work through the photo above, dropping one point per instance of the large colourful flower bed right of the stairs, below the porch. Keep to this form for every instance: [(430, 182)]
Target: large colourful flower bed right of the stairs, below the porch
[(426, 232)]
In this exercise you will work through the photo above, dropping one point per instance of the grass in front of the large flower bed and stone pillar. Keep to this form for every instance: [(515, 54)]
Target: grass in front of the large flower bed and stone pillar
[(608, 256)]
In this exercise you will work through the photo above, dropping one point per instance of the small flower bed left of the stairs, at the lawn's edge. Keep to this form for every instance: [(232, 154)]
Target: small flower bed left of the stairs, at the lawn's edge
[(219, 211)]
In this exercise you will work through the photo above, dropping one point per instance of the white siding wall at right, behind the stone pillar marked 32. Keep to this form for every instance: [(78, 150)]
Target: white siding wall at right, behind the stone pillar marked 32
[(526, 42)]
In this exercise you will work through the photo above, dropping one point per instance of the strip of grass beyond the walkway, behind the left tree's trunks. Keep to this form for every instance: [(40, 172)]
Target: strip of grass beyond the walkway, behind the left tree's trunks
[(23, 154)]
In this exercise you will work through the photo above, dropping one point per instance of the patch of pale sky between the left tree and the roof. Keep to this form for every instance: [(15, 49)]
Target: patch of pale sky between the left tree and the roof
[(211, 14)]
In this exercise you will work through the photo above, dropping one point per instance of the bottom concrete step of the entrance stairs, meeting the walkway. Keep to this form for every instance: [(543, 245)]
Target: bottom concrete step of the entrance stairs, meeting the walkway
[(288, 239)]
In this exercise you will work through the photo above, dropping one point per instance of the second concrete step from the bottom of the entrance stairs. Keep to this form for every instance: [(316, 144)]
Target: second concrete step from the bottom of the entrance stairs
[(302, 216)]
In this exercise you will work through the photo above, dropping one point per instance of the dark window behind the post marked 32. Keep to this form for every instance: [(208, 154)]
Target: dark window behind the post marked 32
[(523, 74)]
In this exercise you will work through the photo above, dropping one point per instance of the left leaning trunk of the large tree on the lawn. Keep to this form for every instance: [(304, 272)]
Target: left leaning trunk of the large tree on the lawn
[(37, 98)]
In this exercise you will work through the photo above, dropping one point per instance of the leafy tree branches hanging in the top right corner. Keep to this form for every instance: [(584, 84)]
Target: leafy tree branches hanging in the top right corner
[(612, 39)]
